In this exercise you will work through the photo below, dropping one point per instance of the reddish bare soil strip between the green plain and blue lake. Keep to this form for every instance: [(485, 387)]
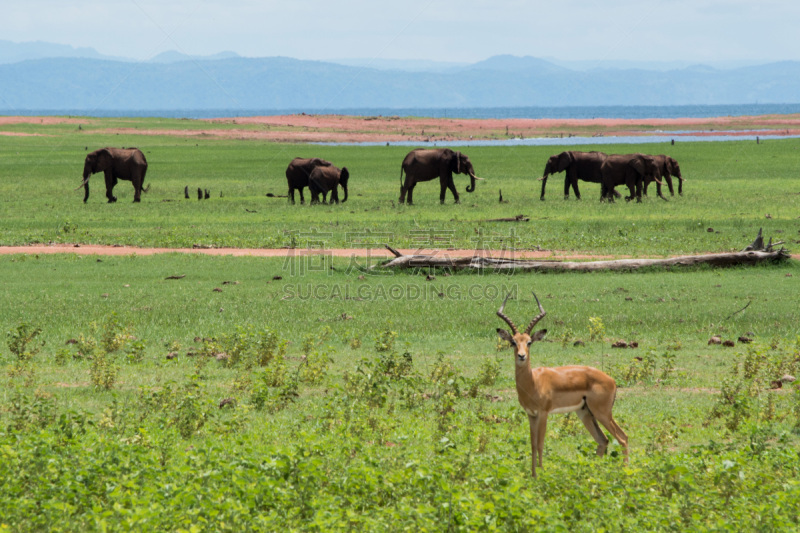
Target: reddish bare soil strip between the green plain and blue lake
[(351, 129)]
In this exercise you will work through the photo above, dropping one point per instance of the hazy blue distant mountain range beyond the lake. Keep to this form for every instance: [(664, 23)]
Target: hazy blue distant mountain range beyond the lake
[(43, 76)]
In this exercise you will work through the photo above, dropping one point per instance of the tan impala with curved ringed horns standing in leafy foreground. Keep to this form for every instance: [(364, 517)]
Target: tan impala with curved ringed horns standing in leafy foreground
[(564, 389)]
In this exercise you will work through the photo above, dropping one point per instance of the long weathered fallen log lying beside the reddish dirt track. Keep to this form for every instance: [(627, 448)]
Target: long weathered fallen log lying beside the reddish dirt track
[(745, 258)]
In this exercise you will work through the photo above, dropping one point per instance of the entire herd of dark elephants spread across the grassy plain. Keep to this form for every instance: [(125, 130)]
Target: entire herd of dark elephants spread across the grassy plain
[(636, 171)]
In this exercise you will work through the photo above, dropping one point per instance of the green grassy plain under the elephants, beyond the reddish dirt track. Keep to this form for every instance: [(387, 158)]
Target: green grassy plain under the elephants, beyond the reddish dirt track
[(733, 188)]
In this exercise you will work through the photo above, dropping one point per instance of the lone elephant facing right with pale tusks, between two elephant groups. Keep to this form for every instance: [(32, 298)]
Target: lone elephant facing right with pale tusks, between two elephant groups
[(426, 164)]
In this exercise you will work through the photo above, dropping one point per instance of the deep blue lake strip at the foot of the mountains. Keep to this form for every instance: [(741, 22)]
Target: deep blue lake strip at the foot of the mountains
[(583, 112)]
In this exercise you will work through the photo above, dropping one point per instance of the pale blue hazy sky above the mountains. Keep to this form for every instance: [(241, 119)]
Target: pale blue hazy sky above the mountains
[(439, 30)]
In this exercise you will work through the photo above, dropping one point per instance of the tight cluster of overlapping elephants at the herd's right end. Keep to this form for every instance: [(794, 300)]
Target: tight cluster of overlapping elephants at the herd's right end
[(636, 171)]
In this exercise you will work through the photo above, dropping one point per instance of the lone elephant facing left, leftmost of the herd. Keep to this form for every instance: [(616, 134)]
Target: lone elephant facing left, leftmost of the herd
[(116, 163)]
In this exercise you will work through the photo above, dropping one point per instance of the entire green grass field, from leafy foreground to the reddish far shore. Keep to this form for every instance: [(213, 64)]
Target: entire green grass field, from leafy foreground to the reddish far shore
[(314, 394)]
